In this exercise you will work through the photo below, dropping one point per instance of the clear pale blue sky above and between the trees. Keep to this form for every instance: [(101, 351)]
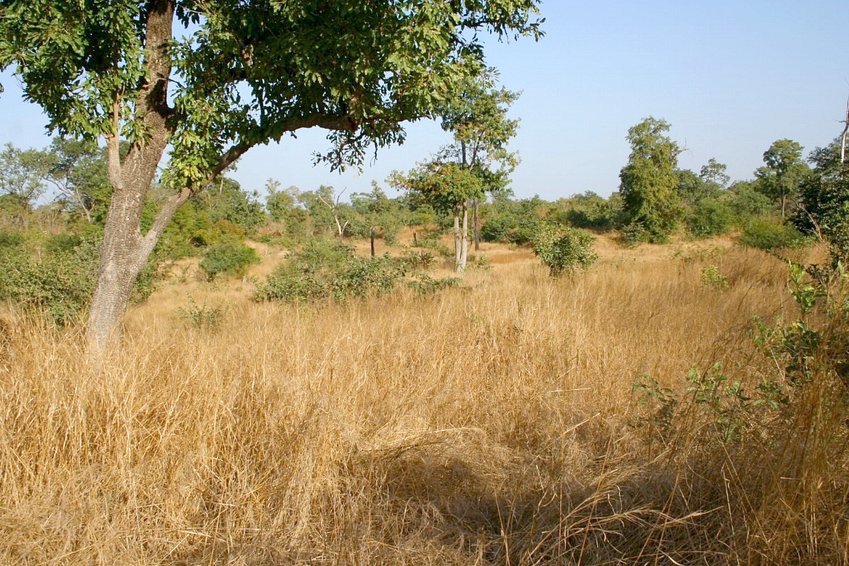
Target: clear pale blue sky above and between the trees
[(730, 76)]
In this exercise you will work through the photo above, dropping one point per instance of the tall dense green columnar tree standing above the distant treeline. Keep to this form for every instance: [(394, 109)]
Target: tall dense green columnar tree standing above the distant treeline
[(649, 181)]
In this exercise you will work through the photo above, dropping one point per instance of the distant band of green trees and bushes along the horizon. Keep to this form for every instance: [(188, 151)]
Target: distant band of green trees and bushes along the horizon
[(53, 205)]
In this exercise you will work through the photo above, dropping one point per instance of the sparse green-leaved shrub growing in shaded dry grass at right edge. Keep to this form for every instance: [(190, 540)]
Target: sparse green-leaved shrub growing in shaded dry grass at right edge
[(809, 352)]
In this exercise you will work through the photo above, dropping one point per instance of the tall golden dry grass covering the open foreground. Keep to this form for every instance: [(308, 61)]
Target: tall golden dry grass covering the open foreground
[(493, 424)]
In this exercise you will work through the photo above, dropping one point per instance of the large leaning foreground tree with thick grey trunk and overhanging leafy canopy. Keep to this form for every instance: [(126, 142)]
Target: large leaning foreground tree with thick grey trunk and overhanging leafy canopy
[(210, 80)]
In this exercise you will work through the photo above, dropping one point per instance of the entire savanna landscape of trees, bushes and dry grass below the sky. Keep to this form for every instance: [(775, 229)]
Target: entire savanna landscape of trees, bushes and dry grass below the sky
[(434, 372)]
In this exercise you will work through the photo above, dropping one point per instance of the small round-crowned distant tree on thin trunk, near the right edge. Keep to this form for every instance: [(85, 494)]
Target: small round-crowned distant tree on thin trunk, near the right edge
[(782, 171)]
